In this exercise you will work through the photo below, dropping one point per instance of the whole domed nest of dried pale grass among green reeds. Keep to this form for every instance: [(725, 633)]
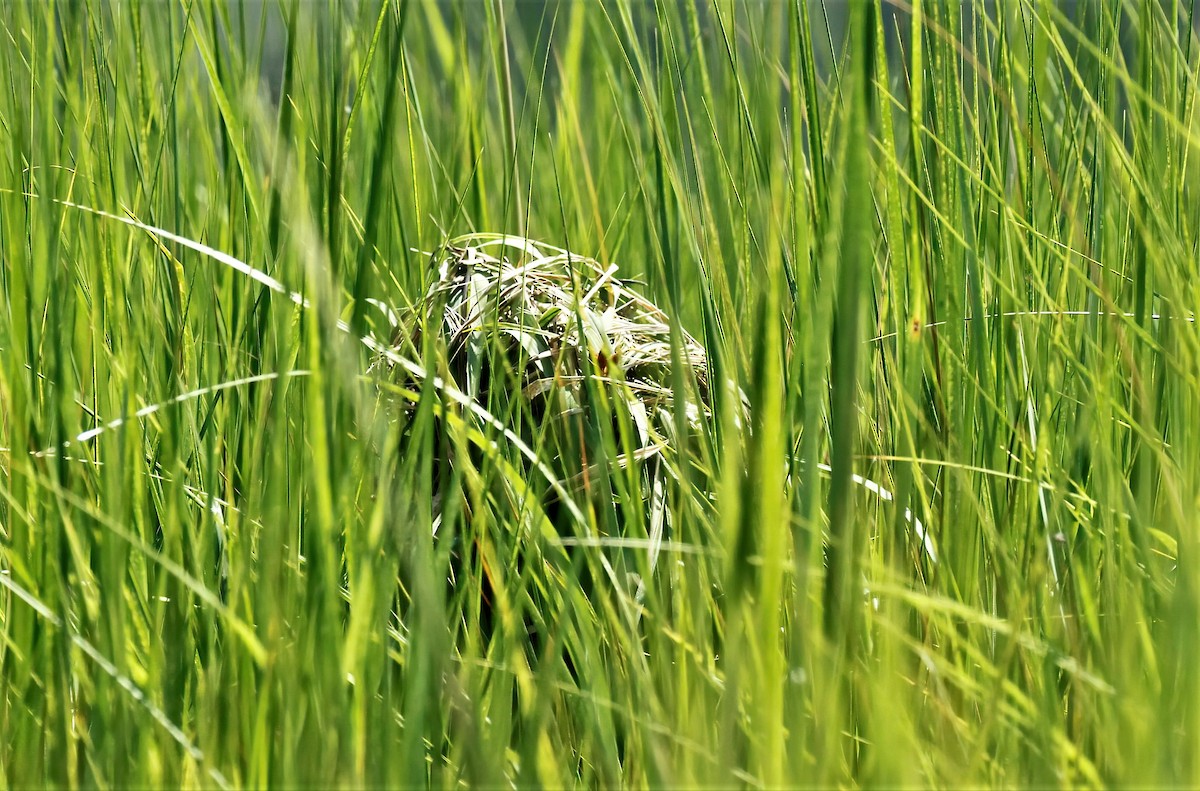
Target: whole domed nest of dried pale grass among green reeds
[(577, 362)]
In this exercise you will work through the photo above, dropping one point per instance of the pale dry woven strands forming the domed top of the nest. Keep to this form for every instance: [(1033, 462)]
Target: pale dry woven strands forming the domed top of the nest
[(551, 320)]
